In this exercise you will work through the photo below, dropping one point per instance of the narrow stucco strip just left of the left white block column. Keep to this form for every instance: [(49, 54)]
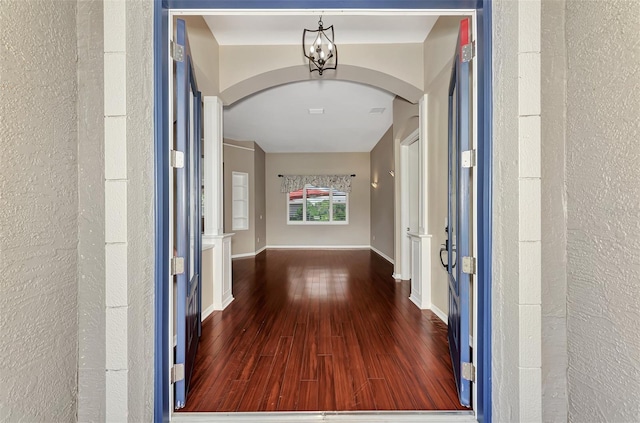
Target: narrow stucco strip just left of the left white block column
[(91, 216)]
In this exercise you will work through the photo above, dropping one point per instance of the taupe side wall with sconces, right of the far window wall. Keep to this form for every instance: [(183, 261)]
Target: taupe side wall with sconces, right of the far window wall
[(382, 197)]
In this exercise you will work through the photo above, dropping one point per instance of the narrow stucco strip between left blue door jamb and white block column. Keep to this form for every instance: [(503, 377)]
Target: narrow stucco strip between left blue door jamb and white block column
[(140, 206)]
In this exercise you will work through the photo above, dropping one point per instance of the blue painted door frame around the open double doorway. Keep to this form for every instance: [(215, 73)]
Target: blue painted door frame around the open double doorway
[(161, 147)]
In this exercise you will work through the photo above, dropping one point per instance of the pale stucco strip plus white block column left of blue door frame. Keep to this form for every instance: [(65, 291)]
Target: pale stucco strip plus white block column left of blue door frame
[(129, 210)]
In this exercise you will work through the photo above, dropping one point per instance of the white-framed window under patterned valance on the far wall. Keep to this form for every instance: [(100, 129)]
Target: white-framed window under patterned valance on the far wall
[(317, 205)]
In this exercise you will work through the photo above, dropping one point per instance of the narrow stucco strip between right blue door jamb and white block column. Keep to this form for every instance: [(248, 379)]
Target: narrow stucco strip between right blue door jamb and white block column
[(505, 329)]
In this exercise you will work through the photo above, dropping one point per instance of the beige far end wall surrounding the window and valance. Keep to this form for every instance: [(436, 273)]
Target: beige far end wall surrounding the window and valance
[(356, 233)]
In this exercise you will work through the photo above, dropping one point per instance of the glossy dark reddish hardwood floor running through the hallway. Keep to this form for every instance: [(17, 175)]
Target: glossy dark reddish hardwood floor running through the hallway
[(321, 330)]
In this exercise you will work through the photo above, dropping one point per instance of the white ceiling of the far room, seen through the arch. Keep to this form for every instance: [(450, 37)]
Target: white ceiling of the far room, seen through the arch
[(278, 119)]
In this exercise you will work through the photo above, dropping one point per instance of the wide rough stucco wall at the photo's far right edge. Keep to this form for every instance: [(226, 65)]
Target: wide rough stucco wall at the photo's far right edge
[(603, 203)]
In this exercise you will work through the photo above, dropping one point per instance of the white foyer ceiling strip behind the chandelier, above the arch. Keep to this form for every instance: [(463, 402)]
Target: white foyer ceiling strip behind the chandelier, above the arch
[(349, 29)]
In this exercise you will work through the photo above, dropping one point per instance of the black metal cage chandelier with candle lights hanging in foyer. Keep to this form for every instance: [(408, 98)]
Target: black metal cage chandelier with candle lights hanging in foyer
[(319, 48)]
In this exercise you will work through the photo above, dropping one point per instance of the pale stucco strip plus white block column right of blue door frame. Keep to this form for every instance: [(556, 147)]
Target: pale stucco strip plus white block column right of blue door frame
[(516, 284)]
